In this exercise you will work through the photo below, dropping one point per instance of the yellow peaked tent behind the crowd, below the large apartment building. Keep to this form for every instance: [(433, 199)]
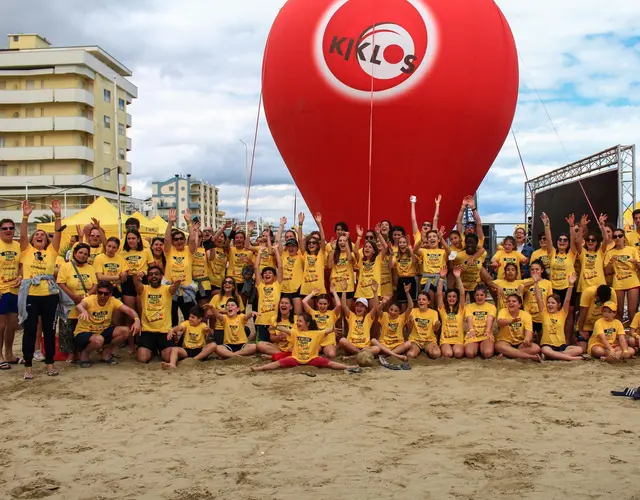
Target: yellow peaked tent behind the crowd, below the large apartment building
[(106, 213)]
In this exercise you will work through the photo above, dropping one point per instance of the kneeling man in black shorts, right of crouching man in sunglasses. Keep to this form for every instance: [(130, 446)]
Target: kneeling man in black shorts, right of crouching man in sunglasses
[(155, 301)]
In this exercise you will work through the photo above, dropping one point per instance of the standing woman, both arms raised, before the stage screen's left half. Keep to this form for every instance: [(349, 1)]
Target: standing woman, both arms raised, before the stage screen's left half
[(562, 260)]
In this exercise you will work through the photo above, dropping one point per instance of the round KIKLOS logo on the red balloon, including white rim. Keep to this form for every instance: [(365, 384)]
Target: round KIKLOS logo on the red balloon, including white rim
[(365, 47)]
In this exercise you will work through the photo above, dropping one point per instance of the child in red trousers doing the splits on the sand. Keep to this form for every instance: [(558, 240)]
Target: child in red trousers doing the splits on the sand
[(306, 338)]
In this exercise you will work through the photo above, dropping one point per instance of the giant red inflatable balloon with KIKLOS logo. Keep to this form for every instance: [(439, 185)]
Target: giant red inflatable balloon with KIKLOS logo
[(372, 101)]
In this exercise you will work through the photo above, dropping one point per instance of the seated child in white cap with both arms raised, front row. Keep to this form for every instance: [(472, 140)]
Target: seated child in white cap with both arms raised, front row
[(360, 322)]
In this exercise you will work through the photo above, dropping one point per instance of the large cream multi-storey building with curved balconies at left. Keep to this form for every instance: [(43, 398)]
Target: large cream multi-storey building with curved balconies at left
[(64, 125)]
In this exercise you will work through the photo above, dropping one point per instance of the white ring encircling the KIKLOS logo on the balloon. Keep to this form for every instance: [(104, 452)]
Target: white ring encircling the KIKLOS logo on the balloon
[(420, 72)]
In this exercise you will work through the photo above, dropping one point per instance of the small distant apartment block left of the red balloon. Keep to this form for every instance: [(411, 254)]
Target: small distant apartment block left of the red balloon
[(182, 193)]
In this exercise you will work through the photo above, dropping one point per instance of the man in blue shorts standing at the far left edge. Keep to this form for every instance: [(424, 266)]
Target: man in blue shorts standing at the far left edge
[(9, 283)]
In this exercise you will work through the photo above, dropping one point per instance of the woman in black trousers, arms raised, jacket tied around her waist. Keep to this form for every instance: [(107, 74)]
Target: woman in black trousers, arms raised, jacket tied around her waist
[(39, 295)]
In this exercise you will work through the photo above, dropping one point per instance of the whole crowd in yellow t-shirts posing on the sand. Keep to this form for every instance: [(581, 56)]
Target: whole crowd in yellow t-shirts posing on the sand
[(302, 298)]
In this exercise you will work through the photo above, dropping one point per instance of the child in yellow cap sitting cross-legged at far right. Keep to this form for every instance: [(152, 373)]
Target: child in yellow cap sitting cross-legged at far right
[(608, 342)]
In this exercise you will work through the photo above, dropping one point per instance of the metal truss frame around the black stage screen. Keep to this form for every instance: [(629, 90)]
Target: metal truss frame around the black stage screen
[(620, 158)]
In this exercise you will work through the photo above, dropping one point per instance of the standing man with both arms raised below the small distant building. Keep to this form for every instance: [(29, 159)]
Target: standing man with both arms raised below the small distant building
[(179, 266)]
